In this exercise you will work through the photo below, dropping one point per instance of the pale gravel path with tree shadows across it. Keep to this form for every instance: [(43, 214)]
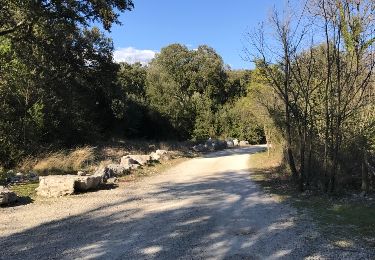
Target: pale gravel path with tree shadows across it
[(204, 208)]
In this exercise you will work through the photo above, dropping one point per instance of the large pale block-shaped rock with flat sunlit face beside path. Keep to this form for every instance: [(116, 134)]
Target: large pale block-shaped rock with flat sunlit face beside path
[(56, 185)]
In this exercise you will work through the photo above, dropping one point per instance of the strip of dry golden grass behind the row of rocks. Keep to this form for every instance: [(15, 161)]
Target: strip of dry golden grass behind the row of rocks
[(88, 158)]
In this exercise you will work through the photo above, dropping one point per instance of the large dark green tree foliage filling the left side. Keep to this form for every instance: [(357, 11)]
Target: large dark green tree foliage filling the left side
[(57, 75)]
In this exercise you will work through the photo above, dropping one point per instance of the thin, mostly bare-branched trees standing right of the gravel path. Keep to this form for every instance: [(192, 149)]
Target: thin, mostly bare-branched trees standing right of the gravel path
[(325, 86)]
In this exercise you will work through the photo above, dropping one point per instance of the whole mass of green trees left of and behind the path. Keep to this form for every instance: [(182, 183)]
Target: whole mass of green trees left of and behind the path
[(60, 87)]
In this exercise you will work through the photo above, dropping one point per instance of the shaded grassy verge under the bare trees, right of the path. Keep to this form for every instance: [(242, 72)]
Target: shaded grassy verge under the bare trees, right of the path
[(342, 217)]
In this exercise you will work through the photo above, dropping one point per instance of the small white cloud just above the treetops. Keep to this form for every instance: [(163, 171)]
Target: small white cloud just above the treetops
[(132, 55)]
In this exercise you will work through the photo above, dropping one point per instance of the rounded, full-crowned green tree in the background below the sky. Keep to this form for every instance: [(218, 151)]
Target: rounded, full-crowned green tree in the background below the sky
[(180, 80)]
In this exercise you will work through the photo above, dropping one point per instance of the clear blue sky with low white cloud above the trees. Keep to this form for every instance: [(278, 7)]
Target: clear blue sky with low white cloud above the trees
[(221, 24)]
